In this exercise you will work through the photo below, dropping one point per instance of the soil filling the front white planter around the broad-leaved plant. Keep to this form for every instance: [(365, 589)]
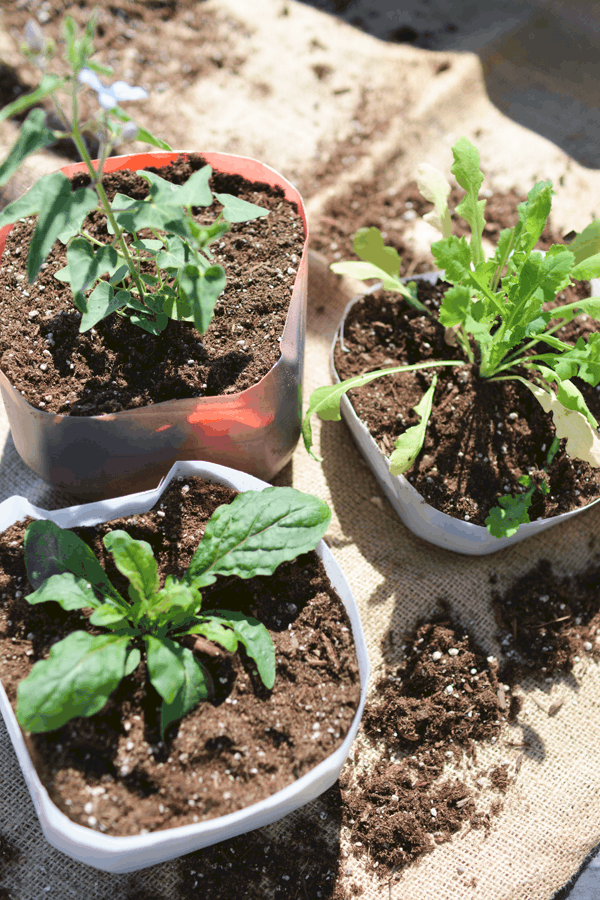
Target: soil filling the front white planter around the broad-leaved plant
[(112, 771)]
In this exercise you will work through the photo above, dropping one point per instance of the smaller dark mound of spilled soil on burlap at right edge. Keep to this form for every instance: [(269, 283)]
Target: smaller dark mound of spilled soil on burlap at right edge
[(548, 622)]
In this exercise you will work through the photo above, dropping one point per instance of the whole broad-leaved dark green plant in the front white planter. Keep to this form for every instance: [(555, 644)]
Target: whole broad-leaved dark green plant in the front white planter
[(250, 536)]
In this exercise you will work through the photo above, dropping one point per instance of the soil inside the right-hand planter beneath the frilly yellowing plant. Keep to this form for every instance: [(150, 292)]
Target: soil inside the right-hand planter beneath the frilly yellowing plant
[(481, 437)]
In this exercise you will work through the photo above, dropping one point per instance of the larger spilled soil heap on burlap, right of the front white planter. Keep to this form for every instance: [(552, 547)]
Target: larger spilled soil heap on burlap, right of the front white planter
[(426, 715)]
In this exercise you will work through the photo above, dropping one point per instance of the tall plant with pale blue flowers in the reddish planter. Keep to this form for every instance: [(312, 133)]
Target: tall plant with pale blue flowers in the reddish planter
[(158, 264)]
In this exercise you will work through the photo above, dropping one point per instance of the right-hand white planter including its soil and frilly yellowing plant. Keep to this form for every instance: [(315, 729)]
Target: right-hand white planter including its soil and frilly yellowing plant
[(510, 432)]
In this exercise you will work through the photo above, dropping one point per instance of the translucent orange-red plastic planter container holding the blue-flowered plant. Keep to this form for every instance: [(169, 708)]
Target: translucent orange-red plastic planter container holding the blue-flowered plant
[(254, 430)]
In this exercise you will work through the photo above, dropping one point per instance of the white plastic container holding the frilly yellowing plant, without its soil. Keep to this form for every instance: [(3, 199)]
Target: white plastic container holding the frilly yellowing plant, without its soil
[(419, 516)]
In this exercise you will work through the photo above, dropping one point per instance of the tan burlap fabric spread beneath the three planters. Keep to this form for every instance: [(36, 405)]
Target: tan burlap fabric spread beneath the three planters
[(551, 815)]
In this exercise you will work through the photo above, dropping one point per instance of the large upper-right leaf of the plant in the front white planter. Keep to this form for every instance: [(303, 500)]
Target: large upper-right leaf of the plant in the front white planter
[(257, 532)]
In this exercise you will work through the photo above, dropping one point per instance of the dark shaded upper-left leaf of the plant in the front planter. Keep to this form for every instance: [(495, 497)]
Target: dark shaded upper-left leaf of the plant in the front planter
[(50, 550)]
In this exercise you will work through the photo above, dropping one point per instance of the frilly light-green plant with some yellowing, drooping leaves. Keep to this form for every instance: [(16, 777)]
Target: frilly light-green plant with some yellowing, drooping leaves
[(497, 311)]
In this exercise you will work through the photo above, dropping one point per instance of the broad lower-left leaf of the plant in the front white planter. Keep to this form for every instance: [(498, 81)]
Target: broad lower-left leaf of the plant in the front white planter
[(76, 680)]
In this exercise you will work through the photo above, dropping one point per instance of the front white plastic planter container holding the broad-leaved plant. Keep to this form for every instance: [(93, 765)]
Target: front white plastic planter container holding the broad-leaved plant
[(127, 854)]
